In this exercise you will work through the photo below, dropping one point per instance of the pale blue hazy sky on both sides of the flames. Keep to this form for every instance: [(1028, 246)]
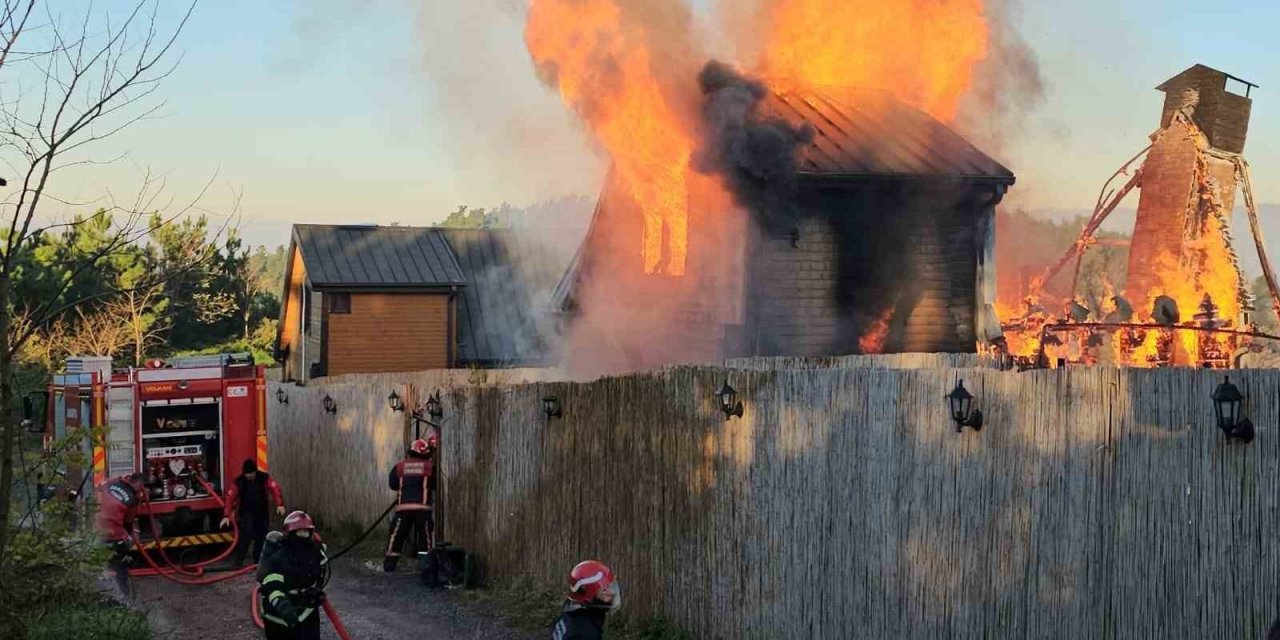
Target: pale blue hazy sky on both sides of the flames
[(403, 111)]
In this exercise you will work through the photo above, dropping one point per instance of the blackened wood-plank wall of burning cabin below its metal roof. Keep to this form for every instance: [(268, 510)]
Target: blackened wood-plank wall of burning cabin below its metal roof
[(881, 258)]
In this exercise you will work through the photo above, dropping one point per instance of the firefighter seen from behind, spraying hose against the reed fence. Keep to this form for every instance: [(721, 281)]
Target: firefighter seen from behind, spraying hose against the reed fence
[(414, 482)]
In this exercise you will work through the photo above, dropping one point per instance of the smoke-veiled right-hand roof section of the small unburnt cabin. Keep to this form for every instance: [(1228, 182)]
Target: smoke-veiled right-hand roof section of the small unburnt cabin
[(504, 312)]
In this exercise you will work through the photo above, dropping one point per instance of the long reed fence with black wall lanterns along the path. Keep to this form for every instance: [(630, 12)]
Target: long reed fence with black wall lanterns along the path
[(1095, 504)]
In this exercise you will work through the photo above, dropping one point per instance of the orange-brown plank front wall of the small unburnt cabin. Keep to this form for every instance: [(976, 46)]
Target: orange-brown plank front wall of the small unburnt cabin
[(390, 332)]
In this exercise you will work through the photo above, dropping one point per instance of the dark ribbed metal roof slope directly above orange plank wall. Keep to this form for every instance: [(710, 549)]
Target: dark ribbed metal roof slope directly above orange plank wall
[(341, 257)]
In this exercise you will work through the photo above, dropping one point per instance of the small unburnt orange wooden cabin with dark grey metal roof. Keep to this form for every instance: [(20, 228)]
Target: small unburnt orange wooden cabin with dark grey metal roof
[(367, 299)]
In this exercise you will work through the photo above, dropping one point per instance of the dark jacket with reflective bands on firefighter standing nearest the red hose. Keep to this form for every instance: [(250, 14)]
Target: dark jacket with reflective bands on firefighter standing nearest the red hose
[(292, 579)]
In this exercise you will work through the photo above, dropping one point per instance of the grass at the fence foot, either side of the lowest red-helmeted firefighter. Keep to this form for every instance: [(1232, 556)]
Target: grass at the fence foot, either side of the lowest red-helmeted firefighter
[(529, 607)]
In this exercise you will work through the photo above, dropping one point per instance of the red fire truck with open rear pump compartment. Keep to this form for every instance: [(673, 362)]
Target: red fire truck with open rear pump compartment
[(179, 423)]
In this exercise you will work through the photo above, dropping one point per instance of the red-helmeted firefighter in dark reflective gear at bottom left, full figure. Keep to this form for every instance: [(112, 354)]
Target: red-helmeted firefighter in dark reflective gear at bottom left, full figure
[(292, 582)]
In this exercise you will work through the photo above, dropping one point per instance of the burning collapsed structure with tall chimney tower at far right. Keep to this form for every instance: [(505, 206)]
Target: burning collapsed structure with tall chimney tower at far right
[(1182, 255)]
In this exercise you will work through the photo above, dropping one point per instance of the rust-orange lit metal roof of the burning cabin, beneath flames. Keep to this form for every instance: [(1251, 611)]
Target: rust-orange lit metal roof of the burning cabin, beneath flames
[(867, 134)]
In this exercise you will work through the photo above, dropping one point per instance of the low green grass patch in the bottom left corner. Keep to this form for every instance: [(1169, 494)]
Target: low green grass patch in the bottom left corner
[(86, 620)]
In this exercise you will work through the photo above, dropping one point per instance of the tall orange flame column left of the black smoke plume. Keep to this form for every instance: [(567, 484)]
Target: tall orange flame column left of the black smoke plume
[(605, 72)]
